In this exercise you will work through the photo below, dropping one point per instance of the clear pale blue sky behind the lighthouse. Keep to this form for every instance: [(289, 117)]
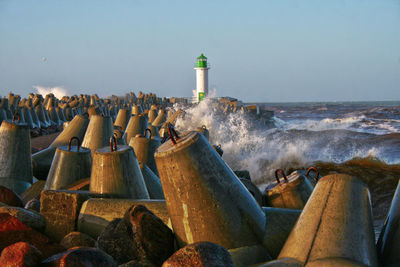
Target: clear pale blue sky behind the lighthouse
[(259, 51)]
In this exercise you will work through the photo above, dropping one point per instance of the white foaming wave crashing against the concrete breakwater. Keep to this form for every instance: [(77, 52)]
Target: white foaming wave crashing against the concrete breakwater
[(261, 150)]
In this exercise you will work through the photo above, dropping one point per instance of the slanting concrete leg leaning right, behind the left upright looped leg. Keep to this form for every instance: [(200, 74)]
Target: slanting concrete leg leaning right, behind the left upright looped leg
[(41, 161)]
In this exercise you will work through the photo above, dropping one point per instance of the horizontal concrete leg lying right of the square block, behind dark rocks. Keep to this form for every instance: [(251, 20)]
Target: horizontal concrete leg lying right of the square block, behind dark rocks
[(96, 214)]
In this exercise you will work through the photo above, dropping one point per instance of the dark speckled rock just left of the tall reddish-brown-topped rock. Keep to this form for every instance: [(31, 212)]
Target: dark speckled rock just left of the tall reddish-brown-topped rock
[(117, 240)]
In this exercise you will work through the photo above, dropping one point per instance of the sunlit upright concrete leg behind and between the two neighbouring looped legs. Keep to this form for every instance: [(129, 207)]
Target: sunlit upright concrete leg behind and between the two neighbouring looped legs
[(98, 133)]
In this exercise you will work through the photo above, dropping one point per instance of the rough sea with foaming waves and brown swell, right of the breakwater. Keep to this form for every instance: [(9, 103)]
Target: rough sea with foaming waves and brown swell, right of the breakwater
[(361, 139)]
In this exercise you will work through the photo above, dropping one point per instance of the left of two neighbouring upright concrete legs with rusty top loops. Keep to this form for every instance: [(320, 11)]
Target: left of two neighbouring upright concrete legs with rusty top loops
[(69, 165)]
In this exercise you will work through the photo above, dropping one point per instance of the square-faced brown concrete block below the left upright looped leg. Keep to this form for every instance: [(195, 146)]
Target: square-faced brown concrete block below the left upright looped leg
[(61, 209)]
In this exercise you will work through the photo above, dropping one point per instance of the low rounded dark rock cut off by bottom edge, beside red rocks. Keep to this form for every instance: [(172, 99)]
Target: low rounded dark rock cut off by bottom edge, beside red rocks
[(80, 257)]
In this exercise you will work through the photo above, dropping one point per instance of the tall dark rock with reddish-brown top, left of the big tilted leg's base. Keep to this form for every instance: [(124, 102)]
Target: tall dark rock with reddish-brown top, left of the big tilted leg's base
[(153, 238)]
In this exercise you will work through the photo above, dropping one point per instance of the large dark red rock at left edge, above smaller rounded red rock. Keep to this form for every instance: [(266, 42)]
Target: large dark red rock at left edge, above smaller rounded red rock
[(13, 230)]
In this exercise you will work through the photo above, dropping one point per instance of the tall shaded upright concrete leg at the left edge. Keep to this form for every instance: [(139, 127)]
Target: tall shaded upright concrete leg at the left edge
[(15, 155)]
